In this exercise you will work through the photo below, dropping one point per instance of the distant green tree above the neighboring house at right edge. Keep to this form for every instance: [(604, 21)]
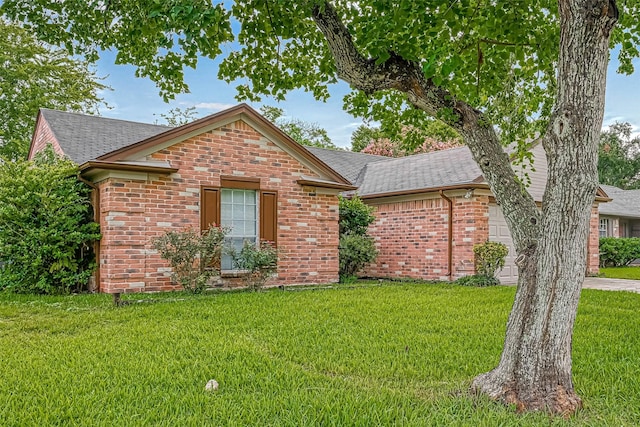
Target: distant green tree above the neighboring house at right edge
[(619, 157)]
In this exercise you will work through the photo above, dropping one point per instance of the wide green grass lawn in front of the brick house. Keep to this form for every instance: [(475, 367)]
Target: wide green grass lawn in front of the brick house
[(382, 355)]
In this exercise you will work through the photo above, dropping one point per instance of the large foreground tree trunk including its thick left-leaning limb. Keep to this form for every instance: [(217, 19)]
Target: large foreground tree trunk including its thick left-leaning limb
[(535, 369)]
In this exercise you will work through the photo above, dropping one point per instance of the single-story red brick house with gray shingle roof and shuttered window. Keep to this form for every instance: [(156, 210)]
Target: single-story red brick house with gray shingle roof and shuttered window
[(235, 167)]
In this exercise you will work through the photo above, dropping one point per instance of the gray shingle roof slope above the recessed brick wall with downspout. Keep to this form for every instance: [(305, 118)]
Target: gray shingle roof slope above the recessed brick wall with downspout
[(422, 171)]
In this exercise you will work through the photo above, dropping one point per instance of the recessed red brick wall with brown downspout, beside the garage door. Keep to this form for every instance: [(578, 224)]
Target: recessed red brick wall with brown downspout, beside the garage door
[(412, 237)]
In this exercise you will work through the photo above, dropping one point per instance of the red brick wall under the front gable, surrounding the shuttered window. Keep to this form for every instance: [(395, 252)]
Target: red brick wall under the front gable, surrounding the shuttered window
[(134, 211)]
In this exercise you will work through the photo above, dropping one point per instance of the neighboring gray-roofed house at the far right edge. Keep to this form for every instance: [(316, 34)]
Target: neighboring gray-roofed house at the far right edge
[(621, 216)]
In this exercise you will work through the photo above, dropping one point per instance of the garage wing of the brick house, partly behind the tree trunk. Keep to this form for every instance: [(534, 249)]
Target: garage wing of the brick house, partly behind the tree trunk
[(431, 209)]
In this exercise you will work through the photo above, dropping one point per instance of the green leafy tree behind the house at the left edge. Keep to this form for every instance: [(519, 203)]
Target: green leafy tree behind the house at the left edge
[(35, 75)]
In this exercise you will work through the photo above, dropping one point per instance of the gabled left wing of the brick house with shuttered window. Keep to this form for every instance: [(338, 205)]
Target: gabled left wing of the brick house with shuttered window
[(231, 168)]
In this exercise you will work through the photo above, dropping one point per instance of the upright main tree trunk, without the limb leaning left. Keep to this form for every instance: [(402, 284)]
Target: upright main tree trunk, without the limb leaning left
[(535, 369)]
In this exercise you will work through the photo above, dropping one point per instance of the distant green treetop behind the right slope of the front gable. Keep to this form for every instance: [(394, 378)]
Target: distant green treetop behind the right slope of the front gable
[(310, 134)]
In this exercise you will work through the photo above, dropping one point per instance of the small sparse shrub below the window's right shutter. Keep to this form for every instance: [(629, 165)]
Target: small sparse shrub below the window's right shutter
[(258, 262)]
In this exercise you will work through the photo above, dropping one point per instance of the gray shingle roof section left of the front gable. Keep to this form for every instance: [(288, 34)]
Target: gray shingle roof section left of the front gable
[(83, 137)]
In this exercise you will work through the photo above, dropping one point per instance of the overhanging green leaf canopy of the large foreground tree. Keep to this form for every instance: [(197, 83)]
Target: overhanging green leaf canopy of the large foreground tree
[(498, 57)]
